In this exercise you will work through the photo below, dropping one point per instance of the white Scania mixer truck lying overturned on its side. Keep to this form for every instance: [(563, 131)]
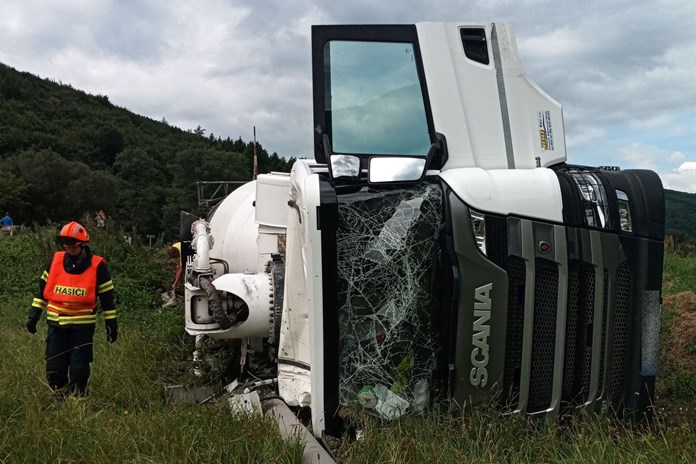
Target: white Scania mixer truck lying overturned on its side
[(439, 247)]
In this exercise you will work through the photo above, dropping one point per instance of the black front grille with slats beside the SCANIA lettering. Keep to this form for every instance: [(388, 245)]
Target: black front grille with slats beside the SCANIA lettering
[(581, 381)]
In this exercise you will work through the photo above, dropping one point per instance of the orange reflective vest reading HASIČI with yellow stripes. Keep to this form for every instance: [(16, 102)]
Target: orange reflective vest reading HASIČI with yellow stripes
[(72, 298)]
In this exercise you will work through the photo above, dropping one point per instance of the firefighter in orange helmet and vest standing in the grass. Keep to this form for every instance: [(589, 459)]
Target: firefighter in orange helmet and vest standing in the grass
[(68, 292)]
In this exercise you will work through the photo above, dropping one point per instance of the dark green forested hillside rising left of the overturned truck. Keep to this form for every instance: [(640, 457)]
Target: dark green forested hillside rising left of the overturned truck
[(65, 153)]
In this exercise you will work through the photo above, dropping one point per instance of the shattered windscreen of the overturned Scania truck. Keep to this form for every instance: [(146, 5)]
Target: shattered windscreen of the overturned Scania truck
[(385, 264)]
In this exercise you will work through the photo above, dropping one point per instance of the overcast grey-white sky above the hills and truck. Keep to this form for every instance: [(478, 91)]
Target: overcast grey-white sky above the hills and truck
[(624, 70)]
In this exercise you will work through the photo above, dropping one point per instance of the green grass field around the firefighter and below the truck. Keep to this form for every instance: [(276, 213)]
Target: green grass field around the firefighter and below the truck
[(126, 420)]
